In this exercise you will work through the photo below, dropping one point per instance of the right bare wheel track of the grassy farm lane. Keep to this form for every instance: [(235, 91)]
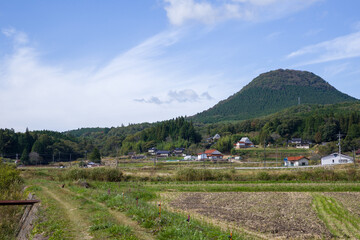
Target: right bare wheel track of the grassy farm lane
[(139, 232)]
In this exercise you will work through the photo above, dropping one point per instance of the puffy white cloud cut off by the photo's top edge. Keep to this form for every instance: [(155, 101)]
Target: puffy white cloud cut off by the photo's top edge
[(181, 11)]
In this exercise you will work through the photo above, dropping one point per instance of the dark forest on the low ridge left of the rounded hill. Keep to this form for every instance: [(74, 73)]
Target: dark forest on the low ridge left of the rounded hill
[(42, 147)]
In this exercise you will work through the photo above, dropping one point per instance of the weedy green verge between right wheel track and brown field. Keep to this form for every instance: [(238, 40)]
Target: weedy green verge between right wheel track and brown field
[(169, 226)]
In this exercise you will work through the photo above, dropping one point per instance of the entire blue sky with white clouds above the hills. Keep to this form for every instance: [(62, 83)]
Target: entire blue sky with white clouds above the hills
[(71, 64)]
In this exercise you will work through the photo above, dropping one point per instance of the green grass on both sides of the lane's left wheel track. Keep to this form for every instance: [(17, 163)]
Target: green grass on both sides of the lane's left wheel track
[(52, 222)]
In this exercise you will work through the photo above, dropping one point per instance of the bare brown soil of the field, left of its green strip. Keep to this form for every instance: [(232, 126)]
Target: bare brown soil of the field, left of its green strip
[(276, 214)]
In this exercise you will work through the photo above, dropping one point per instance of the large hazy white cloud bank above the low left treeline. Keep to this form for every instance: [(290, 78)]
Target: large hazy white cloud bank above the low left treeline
[(37, 95)]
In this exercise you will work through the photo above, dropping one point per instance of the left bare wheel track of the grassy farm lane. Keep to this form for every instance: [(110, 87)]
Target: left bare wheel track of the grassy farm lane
[(73, 215)]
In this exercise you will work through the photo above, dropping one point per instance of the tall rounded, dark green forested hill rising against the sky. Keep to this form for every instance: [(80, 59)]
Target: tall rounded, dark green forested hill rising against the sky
[(271, 92)]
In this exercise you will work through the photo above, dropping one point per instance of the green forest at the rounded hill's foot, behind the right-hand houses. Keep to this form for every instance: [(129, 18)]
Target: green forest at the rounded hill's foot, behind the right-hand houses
[(314, 123)]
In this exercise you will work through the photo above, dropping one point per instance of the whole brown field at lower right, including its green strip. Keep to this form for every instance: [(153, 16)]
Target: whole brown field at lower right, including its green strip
[(294, 215)]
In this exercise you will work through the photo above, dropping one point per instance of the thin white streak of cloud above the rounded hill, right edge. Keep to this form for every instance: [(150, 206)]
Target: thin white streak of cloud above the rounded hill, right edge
[(343, 47)]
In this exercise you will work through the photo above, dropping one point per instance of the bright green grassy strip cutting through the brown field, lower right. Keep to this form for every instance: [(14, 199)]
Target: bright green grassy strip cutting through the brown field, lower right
[(340, 222)]
